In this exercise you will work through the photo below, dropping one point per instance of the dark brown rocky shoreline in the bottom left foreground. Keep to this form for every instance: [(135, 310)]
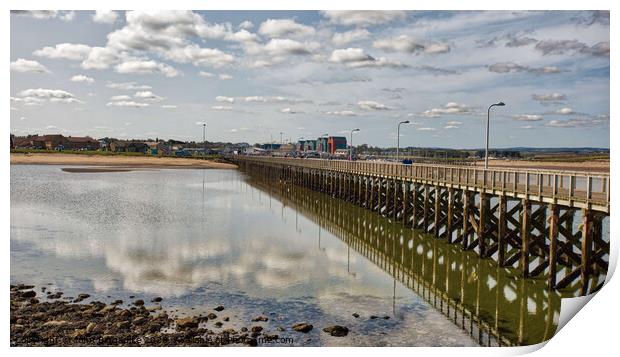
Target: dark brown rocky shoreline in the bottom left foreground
[(70, 322)]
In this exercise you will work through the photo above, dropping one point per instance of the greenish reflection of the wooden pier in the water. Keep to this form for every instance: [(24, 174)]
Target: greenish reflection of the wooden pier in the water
[(493, 304)]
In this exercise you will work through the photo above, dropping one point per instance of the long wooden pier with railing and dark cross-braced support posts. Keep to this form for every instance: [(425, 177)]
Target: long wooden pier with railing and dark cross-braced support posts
[(545, 223)]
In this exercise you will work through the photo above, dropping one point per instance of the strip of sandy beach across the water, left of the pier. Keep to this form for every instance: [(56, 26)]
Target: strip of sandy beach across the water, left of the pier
[(118, 161)]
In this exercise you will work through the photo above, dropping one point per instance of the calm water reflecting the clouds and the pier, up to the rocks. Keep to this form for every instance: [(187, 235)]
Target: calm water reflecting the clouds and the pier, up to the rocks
[(200, 238)]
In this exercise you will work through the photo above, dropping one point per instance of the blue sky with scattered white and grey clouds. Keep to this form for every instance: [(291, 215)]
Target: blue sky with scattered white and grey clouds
[(253, 74)]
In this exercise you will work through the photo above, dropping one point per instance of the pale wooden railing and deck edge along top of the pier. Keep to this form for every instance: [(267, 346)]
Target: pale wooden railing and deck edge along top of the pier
[(568, 188)]
